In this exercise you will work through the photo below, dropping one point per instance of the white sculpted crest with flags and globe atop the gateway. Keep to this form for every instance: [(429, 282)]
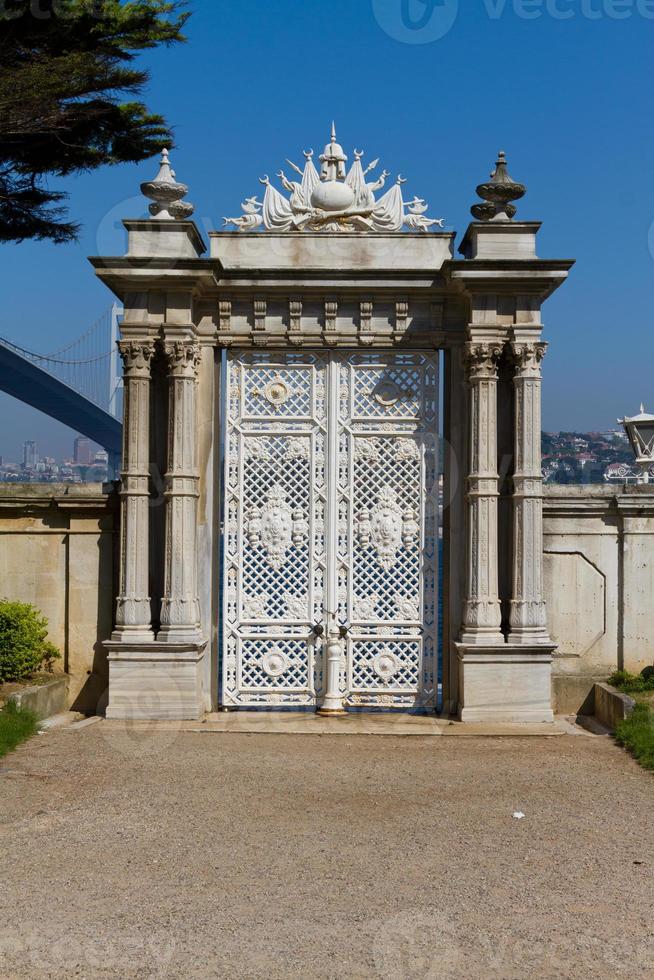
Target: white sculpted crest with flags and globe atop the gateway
[(334, 199)]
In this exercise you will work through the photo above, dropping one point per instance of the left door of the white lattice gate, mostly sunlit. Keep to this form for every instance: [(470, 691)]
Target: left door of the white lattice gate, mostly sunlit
[(274, 563)]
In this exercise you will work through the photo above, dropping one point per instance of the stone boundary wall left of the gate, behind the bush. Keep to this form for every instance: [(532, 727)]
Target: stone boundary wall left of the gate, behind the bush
[(57, 551)]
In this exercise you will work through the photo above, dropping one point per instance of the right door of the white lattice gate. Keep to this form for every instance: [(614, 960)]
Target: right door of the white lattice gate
[(387, 527)]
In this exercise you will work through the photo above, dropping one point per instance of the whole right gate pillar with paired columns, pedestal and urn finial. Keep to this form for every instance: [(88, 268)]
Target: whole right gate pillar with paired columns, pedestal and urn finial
[(504, 676)]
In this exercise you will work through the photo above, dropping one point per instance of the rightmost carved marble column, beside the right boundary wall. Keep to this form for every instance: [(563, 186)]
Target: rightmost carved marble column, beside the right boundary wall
[(528, 618)]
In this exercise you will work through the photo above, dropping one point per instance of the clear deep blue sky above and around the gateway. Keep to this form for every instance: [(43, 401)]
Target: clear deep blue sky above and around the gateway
[(561, 85)]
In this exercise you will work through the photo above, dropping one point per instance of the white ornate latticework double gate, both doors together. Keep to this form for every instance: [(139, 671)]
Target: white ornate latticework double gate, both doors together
[(330, 527)]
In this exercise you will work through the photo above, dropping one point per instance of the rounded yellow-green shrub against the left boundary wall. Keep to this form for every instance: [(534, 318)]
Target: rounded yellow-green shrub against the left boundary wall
[(23, 645)]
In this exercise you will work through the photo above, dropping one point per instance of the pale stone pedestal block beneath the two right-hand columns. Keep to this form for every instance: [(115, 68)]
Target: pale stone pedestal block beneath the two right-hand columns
[(508, 684)]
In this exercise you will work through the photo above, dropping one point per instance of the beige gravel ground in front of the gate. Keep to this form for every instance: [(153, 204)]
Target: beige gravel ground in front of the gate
[(168, 854)]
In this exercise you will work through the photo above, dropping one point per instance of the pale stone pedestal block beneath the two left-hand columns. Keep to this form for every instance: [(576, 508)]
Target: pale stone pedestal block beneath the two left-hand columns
[(155, 681)]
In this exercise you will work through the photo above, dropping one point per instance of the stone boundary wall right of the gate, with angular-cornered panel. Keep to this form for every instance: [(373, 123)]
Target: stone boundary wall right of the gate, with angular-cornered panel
[(599, 585)]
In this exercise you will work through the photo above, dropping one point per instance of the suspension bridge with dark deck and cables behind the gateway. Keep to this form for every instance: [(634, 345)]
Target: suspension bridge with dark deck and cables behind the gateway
[(79, 384)]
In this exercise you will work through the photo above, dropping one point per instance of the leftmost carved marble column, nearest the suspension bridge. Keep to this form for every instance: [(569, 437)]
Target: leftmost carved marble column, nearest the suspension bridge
[(133, 613)]
